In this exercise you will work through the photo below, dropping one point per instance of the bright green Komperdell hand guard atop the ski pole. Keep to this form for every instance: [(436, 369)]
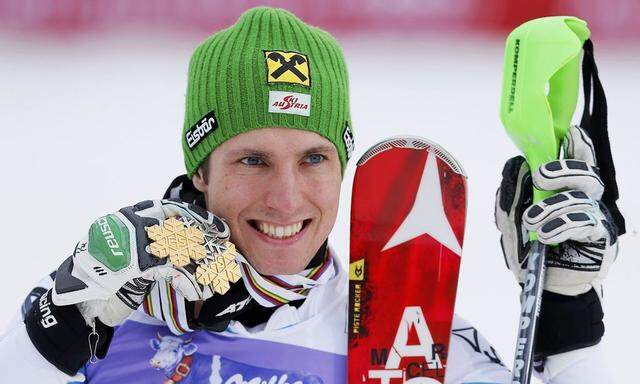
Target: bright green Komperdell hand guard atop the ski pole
[(540, 86)]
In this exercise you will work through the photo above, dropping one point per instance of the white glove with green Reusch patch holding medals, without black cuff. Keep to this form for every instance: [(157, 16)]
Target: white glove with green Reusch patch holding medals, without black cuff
[(111, 269)]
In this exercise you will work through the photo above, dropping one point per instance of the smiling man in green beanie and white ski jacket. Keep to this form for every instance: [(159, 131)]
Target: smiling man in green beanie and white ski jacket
[(266, 125)]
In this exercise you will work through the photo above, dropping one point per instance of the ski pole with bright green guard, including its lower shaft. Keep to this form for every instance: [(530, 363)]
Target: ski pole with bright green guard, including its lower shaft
[(539, 95)]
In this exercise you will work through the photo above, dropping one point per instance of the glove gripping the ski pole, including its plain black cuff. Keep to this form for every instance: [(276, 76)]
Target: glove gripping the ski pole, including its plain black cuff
[(581, 234)]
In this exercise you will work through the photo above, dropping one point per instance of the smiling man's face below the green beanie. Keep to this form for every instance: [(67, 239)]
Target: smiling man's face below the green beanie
[(278, 189)]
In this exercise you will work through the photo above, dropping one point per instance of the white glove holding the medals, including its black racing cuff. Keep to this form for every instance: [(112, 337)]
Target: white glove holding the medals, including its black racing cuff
[(107, 277)]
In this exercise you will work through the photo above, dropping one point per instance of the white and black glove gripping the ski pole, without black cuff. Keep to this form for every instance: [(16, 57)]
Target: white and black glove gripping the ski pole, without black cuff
[(574, 220)]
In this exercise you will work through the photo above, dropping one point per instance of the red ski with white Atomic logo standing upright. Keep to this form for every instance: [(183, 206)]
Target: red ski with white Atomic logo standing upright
[(407, 227)]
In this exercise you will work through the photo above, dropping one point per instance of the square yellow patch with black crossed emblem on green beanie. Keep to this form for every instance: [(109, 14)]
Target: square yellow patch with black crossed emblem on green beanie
[(287, 67)]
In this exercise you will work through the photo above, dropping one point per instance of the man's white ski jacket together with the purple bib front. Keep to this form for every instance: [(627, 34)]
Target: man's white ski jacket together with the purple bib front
[(305, 345)]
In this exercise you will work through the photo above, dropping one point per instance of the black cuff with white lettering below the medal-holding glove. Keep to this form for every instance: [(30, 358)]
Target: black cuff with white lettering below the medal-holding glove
[(61, 334)]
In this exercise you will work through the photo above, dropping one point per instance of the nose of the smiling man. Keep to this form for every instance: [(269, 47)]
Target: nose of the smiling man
[(285, 192)]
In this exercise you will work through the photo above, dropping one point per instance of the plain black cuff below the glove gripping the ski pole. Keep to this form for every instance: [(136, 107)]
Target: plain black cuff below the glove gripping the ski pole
[(568, 323)]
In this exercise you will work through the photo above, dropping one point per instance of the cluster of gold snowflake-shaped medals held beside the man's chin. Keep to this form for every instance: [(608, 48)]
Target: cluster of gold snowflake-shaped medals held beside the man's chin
[(185, 242)]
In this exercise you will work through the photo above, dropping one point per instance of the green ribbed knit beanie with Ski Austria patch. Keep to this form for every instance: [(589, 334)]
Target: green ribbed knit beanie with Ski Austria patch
[(268, 70)]
